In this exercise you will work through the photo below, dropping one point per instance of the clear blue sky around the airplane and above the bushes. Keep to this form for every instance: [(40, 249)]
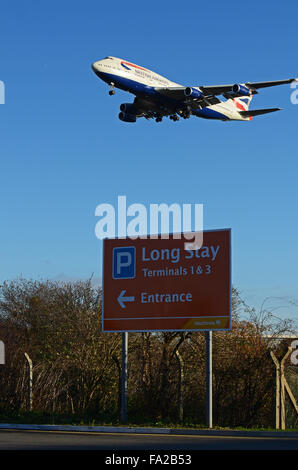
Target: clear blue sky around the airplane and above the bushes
[(63, 149)]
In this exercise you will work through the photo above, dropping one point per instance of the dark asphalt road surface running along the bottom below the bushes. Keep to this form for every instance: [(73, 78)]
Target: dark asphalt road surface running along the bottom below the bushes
[(58, 440)]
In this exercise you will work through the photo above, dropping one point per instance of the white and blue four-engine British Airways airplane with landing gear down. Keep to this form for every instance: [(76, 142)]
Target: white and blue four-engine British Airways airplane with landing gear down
[(157, 97)]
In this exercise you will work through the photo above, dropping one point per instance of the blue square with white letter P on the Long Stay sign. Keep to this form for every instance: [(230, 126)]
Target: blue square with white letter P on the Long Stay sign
[(124, 262)]
